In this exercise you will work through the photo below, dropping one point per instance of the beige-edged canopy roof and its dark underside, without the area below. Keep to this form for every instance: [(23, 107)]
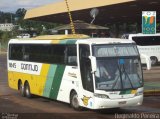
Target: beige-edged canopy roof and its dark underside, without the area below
[(109, 10)]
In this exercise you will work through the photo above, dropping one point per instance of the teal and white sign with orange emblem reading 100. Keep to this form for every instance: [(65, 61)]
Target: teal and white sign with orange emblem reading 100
[(149, 22)]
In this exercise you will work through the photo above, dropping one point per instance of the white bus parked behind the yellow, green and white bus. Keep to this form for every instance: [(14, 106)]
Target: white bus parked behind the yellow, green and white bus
[(148, 44)]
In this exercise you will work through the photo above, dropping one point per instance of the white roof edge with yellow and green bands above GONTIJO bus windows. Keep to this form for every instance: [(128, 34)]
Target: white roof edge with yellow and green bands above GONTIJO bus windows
[(73, 41)]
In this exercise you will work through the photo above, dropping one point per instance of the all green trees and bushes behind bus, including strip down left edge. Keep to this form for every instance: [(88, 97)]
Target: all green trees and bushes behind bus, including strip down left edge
[(17, 18)]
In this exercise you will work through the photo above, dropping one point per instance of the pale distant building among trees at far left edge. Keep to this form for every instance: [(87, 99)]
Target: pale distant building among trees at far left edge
[(6, 27)]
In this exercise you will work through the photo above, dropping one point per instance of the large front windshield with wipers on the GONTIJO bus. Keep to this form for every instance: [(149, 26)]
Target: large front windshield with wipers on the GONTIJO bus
[(118, 73)]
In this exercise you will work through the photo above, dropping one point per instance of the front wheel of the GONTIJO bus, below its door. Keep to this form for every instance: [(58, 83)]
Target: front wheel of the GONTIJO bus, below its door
[(74, 101)]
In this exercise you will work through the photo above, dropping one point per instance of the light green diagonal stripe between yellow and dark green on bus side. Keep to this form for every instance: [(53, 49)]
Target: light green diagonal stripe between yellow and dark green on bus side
[(50, 76)]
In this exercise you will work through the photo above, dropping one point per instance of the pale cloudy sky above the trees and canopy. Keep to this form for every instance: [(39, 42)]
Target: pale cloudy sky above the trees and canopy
[(13, 5)]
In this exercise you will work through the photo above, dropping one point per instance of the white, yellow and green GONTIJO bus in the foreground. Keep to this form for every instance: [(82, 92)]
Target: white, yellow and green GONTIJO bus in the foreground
[(67, 68)]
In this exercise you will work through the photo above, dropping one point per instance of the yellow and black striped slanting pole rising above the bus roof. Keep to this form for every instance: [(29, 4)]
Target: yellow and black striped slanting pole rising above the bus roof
[(70, 17)]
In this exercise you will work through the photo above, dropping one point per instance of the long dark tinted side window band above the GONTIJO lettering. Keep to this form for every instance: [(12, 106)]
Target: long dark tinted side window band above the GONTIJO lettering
[(43, 53)]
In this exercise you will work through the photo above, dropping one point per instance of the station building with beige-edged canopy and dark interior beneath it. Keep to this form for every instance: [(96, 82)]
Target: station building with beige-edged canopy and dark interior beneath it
[(121, 16)]
